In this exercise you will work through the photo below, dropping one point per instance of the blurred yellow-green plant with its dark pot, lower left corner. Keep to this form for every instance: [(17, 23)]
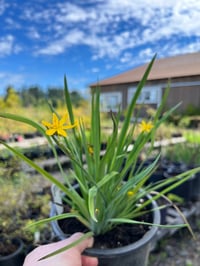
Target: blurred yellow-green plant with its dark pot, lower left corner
[(19, 207)]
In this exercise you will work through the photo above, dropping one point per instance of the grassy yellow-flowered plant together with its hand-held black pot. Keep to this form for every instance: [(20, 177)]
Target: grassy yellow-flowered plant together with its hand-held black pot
[(102, 203)]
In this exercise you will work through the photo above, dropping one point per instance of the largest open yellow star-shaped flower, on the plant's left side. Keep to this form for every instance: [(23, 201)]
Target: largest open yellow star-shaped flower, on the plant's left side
[(58, 126)]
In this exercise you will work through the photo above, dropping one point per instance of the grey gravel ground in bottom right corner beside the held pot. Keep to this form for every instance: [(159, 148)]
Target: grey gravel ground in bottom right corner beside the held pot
[(180, 249)]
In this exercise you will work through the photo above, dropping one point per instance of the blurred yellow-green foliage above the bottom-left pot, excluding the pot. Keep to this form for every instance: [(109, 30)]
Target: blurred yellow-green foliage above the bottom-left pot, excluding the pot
[(19, 207)]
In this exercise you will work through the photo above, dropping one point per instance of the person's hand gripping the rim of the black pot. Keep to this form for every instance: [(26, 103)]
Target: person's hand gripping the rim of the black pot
[(70, 257)]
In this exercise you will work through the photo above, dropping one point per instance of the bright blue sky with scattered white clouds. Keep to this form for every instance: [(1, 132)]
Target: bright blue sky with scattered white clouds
[(87, 40)]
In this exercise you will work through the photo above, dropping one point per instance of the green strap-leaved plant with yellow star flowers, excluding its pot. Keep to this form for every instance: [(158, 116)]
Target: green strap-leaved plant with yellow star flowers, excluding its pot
[(110, 184)]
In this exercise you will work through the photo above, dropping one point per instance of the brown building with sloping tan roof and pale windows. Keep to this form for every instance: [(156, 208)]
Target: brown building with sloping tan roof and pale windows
[(183, 72)]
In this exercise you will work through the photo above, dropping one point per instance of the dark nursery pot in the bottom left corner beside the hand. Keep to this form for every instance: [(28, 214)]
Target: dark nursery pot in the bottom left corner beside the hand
[(17, 257)]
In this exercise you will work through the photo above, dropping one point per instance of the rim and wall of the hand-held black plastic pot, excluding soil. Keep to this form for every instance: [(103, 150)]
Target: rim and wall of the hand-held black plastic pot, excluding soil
[(135, 254)]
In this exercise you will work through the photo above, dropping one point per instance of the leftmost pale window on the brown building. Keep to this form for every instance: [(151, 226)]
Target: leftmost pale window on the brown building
[(110, 101)]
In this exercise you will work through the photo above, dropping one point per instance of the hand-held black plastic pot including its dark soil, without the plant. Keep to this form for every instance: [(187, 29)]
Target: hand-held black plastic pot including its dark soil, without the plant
[(125, 245)]
